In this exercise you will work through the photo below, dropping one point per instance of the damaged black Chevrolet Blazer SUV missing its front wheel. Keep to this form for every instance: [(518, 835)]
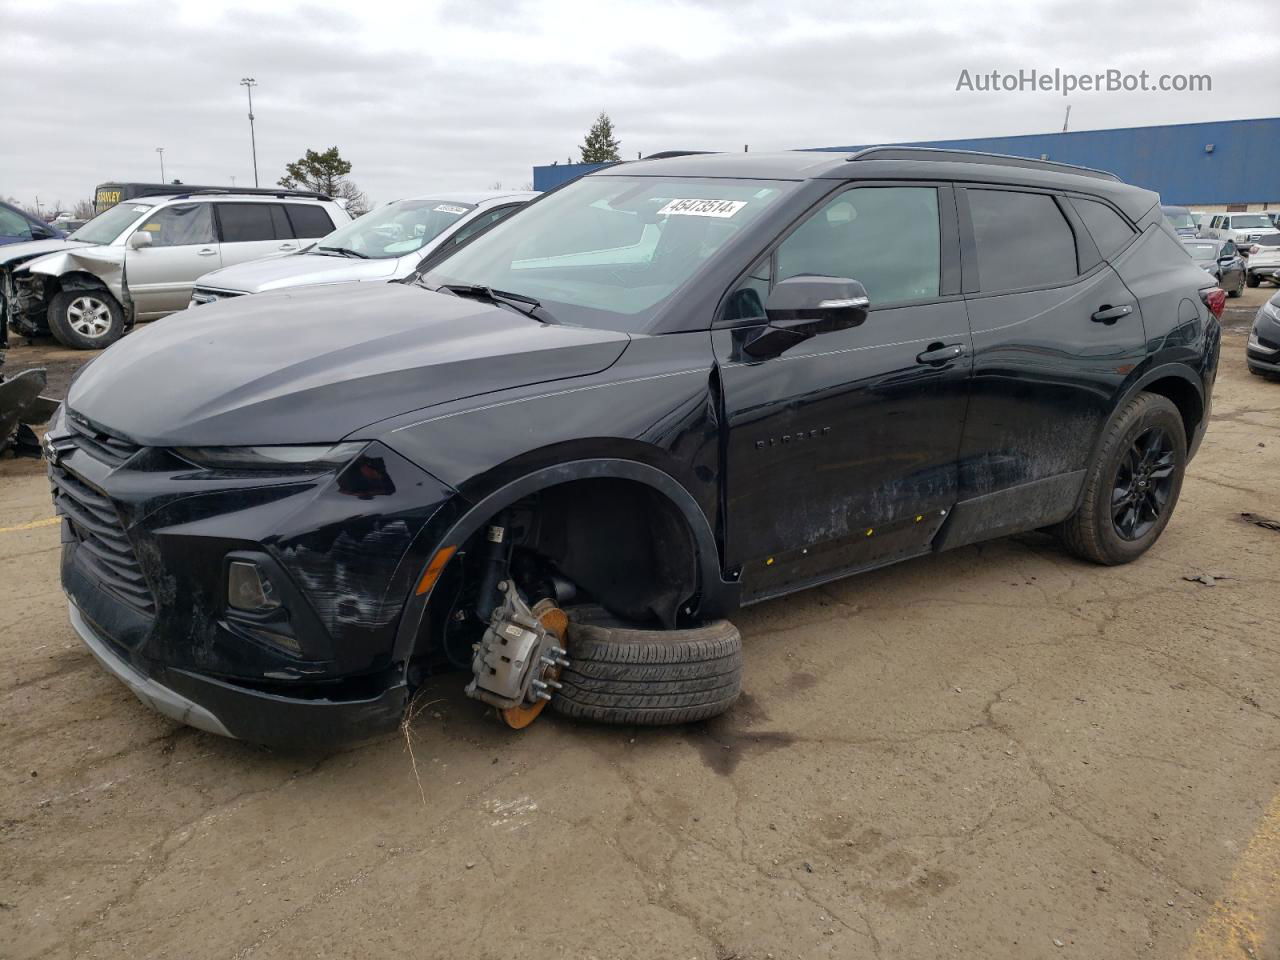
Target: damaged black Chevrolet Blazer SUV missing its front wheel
[(668, 390)]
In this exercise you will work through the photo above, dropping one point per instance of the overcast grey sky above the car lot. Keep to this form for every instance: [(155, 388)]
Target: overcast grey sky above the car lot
[(464, 94)]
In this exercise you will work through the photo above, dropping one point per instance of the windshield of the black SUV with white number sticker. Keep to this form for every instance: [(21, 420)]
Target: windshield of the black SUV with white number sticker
[(609, 252)]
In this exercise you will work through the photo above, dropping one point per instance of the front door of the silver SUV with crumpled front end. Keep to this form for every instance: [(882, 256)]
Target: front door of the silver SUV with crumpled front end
[(161, 277)]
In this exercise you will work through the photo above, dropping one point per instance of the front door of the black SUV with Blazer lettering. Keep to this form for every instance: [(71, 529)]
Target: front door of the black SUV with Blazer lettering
[(842, 452)]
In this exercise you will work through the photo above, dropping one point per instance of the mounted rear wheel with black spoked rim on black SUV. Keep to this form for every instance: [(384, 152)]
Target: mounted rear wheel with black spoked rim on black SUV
[(1127, 505)]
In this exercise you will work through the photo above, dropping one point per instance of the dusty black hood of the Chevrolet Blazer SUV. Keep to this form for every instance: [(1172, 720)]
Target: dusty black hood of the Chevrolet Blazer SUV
[(317, 365)]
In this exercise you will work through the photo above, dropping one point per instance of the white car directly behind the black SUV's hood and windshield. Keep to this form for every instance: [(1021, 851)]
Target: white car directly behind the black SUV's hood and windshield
[(387, 244)]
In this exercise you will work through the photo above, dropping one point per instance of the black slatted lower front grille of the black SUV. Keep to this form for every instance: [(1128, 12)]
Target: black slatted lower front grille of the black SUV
[(103, 546)]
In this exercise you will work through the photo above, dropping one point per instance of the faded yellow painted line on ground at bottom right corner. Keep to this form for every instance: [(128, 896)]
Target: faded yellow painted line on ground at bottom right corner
[(1250, 907)]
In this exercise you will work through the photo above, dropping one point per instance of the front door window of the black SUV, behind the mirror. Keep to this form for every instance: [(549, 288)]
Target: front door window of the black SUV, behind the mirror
[(885, 237)]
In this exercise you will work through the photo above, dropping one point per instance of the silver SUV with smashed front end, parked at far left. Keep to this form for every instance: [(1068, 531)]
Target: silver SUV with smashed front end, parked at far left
[(140, 259)]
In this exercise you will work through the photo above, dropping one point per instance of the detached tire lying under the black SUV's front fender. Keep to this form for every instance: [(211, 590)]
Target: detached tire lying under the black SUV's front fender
[(652, 678)]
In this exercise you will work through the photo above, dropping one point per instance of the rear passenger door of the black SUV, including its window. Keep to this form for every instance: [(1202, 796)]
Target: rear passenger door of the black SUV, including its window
[(1055, 337)]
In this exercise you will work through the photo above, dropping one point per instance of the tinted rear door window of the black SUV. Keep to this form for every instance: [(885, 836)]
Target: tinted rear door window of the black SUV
[(1023, 240)]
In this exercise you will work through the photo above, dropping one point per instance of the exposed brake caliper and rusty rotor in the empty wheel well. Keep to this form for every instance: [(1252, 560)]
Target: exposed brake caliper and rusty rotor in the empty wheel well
[(519, 660)]
